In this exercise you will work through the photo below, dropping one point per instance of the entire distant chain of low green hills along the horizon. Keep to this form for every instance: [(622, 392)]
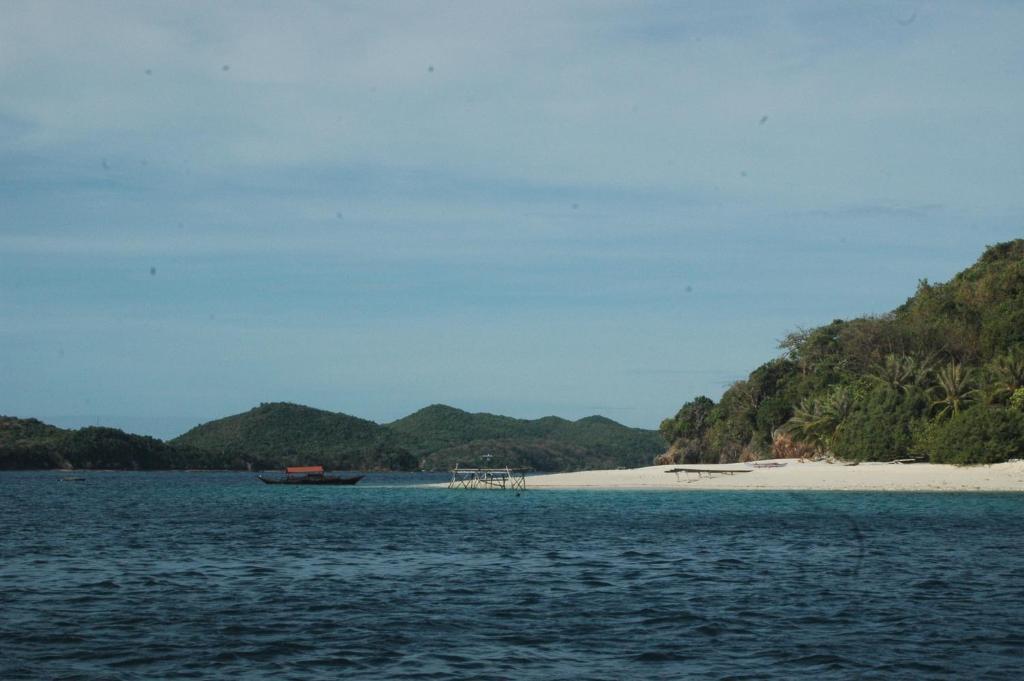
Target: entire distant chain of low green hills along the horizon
[(278, 435)]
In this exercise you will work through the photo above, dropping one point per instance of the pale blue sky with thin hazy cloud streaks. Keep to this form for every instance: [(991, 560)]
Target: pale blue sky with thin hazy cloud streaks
[(523, 208)]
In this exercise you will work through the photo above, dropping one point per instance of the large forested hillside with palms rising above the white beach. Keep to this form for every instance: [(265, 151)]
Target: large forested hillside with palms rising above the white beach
[(942, 376)]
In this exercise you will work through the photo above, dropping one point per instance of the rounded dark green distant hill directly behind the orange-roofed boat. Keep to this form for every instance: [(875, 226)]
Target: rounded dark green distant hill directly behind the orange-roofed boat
[(278, 435)]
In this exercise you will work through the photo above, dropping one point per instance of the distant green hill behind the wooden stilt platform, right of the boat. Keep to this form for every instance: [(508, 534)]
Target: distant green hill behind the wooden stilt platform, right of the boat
[(444, 436)]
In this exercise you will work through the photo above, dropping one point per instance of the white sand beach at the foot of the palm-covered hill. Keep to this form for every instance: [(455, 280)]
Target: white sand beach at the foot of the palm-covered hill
[(798, 476)]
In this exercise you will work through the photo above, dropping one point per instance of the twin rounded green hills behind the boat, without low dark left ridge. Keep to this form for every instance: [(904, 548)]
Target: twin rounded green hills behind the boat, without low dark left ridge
[(435, 439)]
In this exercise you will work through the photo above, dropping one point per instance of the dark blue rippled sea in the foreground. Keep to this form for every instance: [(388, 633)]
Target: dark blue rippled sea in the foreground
[(216, 576)]
